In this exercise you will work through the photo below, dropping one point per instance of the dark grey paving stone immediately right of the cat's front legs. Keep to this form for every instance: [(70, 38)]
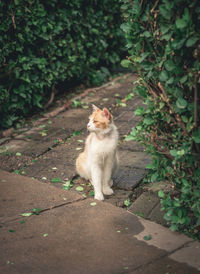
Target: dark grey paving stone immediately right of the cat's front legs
[(128, 178)]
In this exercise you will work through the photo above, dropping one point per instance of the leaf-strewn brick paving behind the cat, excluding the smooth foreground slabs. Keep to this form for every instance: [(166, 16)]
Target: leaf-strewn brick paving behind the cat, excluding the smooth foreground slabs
[(48, 151)]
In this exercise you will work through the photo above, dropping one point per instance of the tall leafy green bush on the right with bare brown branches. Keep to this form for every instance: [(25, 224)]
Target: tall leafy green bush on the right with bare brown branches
[(163, 44)]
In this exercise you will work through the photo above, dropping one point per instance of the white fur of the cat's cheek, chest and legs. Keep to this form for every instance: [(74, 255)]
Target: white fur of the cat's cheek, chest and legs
[(101, 159)]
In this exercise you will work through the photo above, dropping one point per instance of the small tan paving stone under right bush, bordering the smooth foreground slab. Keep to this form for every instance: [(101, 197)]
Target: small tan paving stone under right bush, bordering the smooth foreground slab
[(144, 204)]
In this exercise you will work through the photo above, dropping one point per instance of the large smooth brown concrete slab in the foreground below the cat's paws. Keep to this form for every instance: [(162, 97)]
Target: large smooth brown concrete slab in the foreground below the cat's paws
[(80, 238)]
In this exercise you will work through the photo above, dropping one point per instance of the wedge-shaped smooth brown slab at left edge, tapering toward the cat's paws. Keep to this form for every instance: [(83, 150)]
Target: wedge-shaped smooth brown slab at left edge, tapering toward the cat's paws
[(20, 194)]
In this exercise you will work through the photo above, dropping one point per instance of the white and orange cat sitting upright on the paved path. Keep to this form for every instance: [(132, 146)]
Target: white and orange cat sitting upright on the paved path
[(99, 160)]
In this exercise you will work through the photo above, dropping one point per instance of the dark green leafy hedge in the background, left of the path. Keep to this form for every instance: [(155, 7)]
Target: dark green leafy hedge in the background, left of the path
[(45, 42)]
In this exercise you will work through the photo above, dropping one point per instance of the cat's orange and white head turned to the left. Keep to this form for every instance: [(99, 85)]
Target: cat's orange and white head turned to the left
[(100, 120)]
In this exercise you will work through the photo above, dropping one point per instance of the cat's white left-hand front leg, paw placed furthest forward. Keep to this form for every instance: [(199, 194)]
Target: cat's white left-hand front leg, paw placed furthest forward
[(96, 182)]
